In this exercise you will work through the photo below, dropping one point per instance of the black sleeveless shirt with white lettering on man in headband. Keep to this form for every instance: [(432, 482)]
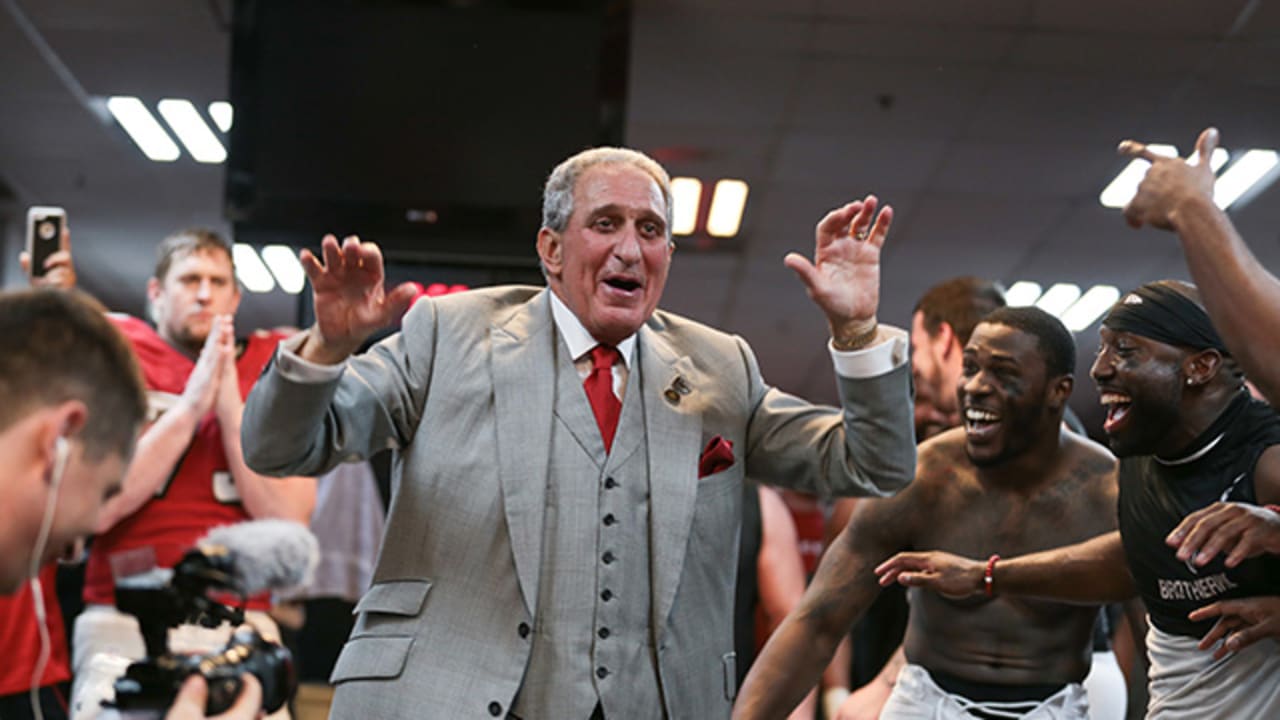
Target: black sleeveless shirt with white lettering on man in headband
[(1155, 496)]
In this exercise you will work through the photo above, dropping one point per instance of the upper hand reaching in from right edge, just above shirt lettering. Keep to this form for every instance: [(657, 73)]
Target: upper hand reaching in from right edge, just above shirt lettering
[(1236, 528)]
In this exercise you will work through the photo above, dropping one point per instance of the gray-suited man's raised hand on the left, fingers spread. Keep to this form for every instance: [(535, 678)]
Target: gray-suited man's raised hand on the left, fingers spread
[(350, 299)]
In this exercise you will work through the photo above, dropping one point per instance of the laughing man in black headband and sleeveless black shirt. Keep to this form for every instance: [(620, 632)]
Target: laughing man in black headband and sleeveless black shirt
[(1188, 435)]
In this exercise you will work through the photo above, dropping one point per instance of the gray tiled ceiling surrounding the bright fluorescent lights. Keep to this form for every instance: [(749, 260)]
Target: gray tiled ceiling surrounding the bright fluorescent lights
[(989, 125)]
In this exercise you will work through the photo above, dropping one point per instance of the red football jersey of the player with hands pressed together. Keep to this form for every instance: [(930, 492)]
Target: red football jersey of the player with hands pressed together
[(200, 494)]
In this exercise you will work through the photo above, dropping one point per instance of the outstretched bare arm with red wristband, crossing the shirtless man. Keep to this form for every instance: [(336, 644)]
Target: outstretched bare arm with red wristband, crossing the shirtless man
[(1089, 573)]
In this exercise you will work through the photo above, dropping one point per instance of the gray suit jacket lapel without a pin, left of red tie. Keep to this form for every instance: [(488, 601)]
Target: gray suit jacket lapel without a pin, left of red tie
[(524, 380)]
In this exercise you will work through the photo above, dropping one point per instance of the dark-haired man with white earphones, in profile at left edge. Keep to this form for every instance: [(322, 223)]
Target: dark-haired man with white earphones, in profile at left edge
[(74, 405)]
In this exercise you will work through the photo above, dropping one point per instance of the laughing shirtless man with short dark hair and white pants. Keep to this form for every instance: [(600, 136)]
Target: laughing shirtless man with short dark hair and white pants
[(1009, 481)]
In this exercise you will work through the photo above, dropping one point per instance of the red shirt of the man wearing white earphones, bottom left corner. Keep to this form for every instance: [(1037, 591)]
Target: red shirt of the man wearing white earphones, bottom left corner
[(20, 637)]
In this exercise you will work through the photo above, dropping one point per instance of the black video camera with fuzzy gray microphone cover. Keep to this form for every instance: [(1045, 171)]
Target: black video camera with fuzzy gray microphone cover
[(163, 599)]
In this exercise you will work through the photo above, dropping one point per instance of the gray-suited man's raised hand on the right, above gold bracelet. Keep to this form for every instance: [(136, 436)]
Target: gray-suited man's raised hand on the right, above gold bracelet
[(844, 276)]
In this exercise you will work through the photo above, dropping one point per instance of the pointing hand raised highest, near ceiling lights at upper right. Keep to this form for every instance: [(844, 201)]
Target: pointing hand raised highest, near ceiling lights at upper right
[(1169, 183)]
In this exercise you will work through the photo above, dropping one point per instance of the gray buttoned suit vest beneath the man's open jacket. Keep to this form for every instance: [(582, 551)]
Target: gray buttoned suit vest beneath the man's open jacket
[(593, 639)]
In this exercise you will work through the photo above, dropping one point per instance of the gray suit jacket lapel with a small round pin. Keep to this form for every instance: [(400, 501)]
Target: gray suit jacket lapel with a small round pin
[(674, 432)]
